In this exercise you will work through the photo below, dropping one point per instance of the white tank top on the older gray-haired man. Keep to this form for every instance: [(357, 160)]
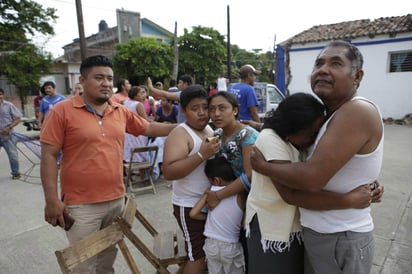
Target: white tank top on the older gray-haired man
[(361, 169)]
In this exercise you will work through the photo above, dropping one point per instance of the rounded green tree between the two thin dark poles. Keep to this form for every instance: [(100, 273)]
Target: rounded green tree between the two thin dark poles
[(202, 54)]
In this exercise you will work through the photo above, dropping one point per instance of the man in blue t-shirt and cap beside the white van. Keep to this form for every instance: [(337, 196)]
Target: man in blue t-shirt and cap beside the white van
[(245, 93)]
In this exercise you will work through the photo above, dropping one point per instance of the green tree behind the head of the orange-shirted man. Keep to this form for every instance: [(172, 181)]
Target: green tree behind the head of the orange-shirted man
[(139, 58)]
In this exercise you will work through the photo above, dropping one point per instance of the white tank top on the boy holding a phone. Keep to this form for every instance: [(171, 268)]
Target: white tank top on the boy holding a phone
[(188, 190)]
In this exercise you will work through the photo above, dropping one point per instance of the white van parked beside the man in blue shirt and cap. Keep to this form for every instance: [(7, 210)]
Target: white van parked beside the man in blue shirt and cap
[(269, 97)]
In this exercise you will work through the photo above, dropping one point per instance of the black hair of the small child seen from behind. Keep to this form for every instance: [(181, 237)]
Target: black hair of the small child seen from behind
[(219, 167)]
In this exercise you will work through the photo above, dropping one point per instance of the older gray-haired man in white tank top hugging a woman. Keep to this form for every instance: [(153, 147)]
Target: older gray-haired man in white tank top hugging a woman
[(347, 153)]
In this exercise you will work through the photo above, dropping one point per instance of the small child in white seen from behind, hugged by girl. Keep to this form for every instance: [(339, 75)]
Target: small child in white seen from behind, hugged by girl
[(224, 252)]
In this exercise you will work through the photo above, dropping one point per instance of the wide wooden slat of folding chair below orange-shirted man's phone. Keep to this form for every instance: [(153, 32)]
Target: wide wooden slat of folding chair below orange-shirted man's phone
[(88, 247)]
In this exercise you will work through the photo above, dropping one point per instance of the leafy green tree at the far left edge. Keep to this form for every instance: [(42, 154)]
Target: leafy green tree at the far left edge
[(21, 61)]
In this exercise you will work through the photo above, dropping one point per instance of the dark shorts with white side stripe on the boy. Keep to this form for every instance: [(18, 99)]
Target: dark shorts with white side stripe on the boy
[(192, 232)]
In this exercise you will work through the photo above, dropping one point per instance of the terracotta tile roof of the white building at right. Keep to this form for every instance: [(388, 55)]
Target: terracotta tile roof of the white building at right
[(354, 29)]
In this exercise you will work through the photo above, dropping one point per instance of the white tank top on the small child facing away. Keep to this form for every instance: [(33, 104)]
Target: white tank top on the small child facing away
[(223, 222)]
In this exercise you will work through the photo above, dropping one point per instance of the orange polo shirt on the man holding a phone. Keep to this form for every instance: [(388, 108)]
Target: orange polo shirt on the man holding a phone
[(91, 168)]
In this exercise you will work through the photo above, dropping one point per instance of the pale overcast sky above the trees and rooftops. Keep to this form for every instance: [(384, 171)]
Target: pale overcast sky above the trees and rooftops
[(253, 24)]
